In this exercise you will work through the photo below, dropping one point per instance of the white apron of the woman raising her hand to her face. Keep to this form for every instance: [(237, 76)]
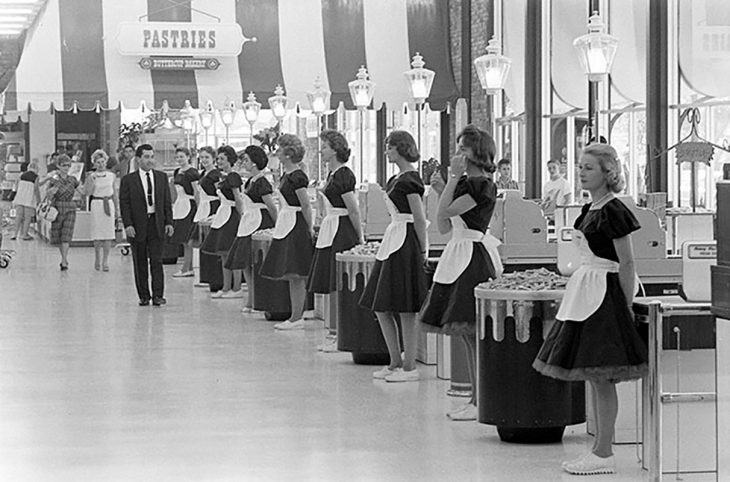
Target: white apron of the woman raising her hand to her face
[(459, 250)]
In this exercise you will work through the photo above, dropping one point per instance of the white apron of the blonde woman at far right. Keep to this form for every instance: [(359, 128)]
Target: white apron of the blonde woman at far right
[(586, 288)]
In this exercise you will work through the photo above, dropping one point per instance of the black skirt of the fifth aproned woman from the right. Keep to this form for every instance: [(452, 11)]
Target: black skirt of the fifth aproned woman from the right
[(291, 256)]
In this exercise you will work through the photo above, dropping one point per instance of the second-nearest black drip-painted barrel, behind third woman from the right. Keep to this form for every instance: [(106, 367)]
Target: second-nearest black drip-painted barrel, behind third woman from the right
[(358, 330)]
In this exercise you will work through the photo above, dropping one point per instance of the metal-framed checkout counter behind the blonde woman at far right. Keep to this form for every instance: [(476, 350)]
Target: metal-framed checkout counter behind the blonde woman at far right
[(682, 427)]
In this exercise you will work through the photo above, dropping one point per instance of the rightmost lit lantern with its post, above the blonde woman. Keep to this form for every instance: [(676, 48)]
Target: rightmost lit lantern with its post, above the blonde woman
[(596, 50)]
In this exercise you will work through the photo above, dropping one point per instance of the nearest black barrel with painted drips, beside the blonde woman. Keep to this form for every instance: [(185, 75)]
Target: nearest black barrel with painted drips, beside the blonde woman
[(526, 406)]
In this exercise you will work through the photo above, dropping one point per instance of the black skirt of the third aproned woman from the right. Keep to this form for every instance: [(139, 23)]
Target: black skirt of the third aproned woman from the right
[(398, 284)]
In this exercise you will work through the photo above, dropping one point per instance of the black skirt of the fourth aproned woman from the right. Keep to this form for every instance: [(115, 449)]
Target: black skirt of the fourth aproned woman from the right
[(323, 273)]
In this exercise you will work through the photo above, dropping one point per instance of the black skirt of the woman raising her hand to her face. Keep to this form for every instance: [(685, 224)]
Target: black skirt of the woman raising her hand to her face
[(450, 308)]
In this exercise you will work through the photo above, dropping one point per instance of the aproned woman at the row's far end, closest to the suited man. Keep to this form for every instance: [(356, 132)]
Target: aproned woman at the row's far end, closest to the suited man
[(185, 182)]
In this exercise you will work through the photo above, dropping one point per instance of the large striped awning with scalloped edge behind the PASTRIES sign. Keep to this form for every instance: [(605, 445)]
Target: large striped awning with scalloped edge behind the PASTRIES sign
[(71, 56)]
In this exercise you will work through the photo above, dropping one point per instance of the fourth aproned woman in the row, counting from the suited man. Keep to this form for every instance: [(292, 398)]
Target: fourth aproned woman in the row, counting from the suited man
[(258, 212)]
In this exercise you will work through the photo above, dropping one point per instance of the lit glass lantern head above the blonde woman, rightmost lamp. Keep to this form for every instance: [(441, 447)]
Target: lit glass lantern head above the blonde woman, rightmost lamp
[(596, 49)]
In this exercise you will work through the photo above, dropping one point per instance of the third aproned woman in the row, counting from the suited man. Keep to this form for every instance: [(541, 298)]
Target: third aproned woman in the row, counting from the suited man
[(225, 223)]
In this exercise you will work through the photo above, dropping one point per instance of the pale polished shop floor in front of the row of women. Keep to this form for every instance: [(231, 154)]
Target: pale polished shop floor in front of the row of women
[(95, 388)]
